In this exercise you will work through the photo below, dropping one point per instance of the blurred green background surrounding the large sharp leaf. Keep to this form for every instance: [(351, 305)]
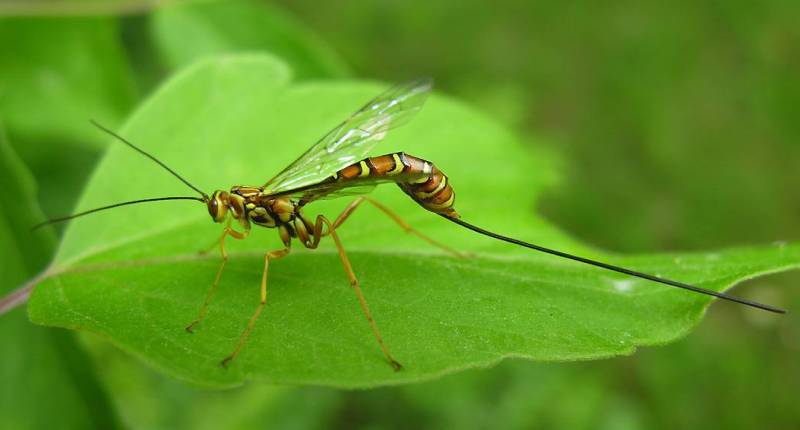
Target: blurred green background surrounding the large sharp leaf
[(676, 128)]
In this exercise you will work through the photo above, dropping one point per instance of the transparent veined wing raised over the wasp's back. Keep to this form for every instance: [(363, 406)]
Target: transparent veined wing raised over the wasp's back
[(351, 140)]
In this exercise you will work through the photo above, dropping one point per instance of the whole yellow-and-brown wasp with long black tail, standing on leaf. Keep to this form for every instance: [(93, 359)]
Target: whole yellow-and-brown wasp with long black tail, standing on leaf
[(337, 165)]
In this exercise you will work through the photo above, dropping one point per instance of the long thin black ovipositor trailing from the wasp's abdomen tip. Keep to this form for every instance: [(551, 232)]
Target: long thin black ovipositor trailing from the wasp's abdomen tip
[(616, 268)]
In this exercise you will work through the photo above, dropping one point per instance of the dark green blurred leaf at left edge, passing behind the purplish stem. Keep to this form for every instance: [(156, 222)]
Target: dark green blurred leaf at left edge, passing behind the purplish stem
[(37, 360)]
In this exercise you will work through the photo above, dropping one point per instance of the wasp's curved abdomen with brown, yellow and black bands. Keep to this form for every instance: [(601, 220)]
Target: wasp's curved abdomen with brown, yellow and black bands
[(418, 178)]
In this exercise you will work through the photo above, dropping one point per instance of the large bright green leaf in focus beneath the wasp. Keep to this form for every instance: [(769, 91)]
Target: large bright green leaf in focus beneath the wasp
[(133, 275)]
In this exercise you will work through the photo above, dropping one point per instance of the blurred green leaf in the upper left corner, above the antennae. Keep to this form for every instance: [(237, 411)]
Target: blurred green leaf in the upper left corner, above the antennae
[(63, 72)]
